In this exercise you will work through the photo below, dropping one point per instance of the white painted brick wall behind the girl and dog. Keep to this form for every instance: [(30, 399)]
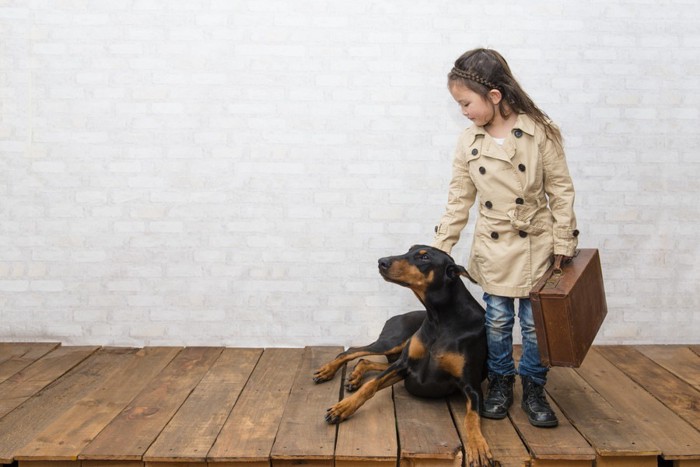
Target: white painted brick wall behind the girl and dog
[(228, 172)]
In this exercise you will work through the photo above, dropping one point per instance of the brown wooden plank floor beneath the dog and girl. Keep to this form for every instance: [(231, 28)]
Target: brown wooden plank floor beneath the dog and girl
[(66, 406)]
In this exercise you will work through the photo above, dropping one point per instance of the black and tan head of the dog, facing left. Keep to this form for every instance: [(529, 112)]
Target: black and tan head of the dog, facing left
[(420, 269)]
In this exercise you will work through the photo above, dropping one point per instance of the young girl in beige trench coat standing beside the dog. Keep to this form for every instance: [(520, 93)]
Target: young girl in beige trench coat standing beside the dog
[(512, 158)]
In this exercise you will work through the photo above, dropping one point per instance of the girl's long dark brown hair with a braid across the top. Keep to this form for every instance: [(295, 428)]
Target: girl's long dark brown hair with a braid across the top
[(482, 70)]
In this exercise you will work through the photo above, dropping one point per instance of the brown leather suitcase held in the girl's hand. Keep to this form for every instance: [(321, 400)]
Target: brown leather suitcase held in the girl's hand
[(568, 305)]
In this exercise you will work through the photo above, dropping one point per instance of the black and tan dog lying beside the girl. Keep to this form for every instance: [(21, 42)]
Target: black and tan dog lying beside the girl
[(435, 352)]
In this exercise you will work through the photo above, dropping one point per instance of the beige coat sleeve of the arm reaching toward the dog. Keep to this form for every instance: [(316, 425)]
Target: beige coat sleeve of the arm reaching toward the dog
[(461, 197)]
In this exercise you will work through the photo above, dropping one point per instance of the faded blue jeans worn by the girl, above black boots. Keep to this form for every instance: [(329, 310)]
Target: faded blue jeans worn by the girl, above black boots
[(500, 317)]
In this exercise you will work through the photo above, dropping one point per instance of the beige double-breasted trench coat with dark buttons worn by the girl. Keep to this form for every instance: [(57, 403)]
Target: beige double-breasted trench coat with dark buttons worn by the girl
[(525, 207)]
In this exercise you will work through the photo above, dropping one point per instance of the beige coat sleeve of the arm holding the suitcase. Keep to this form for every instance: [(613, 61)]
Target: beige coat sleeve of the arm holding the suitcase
[(560, 191)]
